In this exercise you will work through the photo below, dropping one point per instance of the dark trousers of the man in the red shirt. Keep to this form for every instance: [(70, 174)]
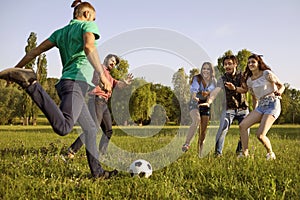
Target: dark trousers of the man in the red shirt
[(101, 114)]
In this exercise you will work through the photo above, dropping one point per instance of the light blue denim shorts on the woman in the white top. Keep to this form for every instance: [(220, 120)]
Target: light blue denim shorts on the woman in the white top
[(269, 105)]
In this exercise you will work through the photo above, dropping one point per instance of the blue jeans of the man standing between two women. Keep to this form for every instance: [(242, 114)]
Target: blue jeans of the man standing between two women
[(227, 118)]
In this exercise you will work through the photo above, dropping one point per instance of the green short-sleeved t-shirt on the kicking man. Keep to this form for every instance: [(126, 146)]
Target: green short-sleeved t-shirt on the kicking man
[(69, 41)]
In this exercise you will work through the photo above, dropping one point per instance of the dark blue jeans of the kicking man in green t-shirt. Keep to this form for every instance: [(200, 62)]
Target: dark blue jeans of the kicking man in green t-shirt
[(72, 109)]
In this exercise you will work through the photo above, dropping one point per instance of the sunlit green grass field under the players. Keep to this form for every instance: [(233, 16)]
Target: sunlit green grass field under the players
[(31, 167)]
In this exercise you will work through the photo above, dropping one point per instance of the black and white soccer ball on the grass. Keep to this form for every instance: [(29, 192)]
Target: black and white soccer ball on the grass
[(140, 168)]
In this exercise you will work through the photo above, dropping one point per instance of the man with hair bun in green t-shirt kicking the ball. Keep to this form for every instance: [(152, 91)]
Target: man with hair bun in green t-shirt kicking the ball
[(77, 47)]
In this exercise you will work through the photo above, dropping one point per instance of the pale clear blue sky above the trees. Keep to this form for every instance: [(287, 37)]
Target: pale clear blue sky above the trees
[(158, 37)]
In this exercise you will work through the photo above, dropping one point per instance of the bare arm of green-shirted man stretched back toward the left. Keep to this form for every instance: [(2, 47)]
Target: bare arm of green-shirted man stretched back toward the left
[(44, 46)]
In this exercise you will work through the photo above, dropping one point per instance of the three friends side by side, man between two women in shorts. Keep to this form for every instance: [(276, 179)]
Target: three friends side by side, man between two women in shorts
[(266, 90)]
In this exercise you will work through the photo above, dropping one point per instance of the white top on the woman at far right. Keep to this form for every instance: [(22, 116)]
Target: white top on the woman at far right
[(262, 86)]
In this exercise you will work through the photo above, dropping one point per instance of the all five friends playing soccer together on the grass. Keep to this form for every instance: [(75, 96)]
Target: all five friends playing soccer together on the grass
[(84, 75)]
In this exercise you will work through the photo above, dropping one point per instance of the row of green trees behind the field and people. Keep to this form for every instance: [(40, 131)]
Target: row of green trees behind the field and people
[(141, 103)]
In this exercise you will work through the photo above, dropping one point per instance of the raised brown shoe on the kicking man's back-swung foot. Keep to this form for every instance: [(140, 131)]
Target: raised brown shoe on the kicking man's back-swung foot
[(23, 77)]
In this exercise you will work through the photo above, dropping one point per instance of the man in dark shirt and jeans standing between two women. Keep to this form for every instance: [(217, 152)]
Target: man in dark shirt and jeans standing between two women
[(236, 105)]
